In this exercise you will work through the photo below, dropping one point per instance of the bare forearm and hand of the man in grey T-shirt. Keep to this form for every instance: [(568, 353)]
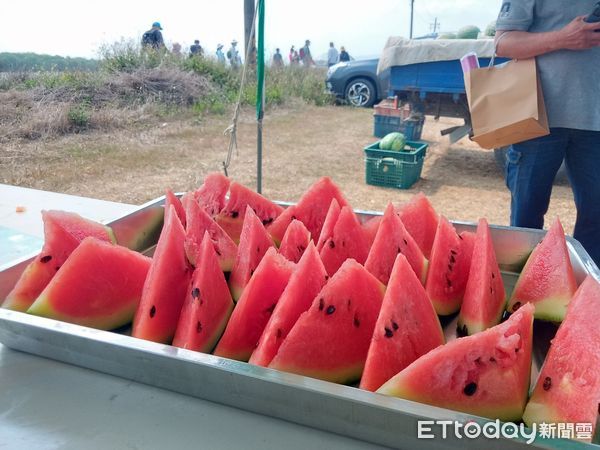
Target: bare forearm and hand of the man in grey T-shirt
[(577, 35)]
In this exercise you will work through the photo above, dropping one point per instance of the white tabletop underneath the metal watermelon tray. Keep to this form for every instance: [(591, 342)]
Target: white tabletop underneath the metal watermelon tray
[(46, 404)]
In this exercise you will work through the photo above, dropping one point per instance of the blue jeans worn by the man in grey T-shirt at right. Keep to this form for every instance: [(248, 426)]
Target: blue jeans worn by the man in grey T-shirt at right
[(530, 170)]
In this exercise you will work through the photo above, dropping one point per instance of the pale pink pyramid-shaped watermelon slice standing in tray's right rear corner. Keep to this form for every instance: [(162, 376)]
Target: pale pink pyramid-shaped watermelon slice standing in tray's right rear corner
[(547, 280)]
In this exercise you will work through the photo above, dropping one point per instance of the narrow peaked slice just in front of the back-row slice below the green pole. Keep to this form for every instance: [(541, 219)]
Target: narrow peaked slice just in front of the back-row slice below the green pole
[(254, 243)]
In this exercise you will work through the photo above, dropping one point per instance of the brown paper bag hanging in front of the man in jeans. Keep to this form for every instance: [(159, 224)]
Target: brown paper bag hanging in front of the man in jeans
[(506, 103)]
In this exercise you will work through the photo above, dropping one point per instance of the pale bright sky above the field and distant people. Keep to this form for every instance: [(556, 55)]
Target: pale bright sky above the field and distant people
[(70, 28)]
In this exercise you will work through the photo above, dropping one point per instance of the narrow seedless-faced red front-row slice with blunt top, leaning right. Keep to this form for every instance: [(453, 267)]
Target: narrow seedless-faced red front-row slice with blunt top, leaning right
[(255, 307)]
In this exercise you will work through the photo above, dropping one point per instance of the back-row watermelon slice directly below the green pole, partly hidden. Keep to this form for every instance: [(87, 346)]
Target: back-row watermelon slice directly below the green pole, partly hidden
[(231, 216)]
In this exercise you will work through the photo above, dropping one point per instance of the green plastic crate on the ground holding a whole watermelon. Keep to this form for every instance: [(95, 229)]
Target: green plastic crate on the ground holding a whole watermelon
[(394, 169)]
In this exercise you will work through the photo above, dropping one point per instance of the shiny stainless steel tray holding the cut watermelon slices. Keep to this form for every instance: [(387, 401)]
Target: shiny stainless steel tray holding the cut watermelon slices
[(335, 408)]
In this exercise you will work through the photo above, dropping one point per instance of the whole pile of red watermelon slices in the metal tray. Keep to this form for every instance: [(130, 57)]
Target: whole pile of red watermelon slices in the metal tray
[(315, 290)]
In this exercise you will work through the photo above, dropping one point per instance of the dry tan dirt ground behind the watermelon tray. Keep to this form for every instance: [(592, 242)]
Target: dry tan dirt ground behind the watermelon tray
[(301, 143)]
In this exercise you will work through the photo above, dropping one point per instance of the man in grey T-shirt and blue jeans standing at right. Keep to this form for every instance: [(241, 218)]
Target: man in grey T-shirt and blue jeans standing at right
[(567, 53)]
